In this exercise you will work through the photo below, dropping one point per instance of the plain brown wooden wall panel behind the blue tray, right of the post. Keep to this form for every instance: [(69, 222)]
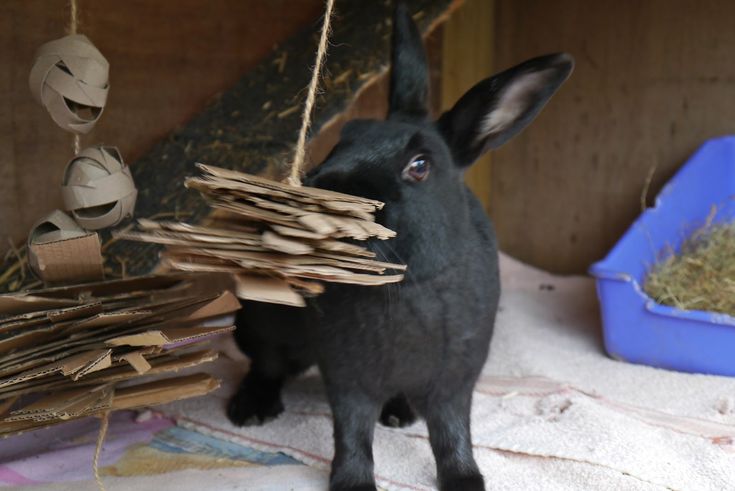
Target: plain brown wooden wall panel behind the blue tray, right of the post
[(653, 80)]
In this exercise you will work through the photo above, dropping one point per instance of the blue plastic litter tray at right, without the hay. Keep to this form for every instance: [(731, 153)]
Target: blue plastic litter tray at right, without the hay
[(636, 328)]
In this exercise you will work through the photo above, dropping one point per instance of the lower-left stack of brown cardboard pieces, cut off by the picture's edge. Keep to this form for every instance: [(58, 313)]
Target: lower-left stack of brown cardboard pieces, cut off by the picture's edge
[(75, 351)]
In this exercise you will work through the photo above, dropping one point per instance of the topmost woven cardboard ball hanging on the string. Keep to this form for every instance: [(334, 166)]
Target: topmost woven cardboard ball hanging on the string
[(70, 79)]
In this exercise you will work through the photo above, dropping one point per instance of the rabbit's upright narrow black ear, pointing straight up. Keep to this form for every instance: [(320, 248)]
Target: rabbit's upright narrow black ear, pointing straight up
[(409, 79)]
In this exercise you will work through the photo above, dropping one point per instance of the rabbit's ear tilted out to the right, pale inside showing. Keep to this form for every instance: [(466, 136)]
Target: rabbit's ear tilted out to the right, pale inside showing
[(498, 108)]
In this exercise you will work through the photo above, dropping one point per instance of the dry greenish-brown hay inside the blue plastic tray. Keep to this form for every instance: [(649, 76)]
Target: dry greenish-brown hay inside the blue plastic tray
[(701, 276)]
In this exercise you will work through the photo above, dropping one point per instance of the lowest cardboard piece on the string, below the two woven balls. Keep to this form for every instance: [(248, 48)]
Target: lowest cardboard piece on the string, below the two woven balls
[(61, 251)]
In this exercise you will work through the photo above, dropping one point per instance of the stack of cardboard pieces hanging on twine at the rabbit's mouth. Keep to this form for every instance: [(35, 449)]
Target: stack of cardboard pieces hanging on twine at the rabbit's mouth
[(278, 240)]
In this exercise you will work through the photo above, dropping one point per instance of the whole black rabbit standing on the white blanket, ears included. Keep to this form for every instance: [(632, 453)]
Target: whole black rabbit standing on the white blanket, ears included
[(420, 345)]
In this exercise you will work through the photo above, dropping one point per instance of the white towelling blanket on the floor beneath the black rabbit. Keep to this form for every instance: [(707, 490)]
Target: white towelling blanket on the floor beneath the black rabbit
[(551, 411)]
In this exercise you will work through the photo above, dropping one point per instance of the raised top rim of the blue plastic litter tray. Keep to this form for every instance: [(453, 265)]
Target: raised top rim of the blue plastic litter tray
[(601, 271)]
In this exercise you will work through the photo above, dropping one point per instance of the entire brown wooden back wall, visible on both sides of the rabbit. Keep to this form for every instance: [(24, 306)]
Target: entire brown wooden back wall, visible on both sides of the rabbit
[(653, 80)]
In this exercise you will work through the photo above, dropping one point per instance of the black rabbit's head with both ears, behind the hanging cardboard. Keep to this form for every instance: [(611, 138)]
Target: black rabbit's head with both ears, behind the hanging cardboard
[(416, 165)]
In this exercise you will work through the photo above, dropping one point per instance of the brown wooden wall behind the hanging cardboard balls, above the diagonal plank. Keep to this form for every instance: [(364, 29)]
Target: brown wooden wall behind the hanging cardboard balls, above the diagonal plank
[(168, 58)]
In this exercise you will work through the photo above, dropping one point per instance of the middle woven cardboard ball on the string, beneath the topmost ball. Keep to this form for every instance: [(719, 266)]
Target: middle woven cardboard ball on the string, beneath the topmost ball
[(98, 188)]
